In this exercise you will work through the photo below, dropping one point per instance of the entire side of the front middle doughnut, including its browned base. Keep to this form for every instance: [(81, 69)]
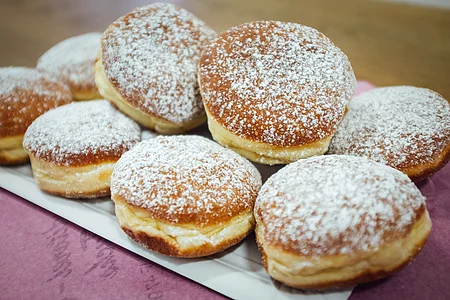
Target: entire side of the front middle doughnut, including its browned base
[(181, 240)]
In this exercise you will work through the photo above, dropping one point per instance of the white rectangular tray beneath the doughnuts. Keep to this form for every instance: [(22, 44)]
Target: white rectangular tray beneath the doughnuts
[(236, 272)]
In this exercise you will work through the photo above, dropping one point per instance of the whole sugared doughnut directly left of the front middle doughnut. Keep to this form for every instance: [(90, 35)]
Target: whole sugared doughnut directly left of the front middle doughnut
[(73, 149)]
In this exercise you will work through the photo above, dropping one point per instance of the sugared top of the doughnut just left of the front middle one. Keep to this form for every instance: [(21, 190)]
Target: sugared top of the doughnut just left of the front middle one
[(81, 133)]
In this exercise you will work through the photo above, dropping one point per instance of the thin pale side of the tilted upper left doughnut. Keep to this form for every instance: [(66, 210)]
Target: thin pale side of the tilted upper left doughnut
[(152, 122)]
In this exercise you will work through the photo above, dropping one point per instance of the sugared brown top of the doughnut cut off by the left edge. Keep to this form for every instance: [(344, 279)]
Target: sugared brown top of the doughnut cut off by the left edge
[(25, 94)]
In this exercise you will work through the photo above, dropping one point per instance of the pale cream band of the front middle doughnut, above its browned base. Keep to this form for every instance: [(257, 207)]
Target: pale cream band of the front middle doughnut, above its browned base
[(184, 237)]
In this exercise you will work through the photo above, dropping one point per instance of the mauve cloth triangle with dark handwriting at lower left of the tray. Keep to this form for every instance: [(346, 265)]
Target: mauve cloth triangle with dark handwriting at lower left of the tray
[(43, 256)]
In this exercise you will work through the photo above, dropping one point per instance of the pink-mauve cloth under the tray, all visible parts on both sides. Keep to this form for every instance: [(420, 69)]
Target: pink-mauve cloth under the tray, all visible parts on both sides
[(44, 257)]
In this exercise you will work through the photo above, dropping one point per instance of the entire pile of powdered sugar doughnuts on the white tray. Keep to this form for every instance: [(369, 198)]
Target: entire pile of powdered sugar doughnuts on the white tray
[(272, 92)]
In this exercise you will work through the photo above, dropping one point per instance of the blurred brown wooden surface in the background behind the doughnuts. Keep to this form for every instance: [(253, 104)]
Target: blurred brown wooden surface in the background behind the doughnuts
[(387, 43)]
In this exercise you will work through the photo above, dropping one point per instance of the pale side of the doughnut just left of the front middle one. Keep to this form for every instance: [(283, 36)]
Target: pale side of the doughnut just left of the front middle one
[(88, 181)]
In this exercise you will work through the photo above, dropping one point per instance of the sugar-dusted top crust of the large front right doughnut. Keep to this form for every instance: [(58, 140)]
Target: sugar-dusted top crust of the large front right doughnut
[(334, 204)]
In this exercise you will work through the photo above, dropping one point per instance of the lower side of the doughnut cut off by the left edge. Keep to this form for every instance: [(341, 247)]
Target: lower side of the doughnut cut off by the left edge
[(11, 150)]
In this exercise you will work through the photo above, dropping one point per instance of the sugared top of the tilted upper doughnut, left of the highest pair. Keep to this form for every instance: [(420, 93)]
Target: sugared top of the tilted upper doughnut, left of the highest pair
[(150, 56)]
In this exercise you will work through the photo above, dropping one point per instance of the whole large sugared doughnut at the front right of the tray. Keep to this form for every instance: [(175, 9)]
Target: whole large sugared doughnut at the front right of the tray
[(335, 221)]
